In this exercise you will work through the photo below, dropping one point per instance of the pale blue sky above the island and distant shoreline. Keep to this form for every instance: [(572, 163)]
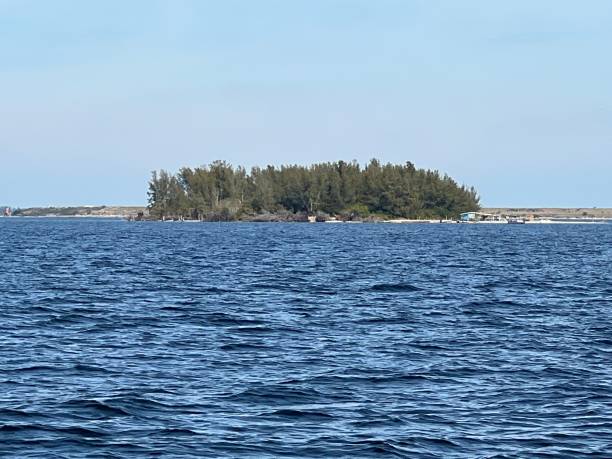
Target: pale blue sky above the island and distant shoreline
[(513, 97)]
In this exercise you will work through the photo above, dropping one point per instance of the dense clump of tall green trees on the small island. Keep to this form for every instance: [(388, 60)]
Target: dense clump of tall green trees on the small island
[(343, 189)]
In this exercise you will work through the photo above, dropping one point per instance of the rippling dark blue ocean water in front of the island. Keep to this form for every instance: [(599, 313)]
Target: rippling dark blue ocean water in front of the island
[(185, 340)]
